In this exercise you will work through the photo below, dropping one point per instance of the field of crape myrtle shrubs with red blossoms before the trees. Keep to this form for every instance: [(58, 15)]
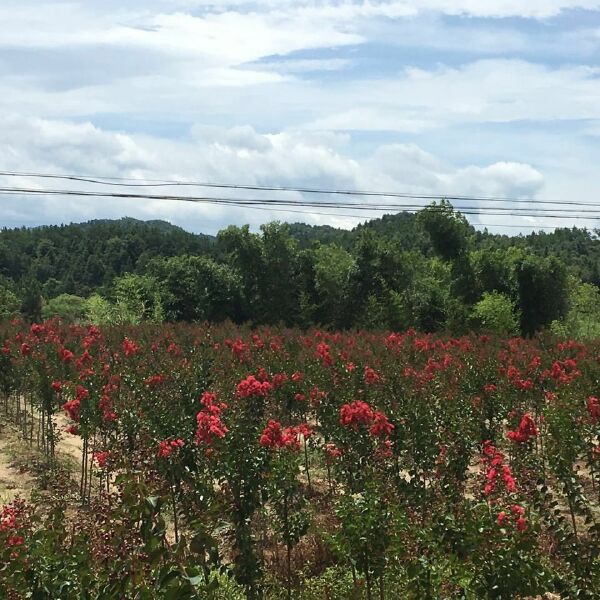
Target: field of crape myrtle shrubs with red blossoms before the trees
[(224, 462)]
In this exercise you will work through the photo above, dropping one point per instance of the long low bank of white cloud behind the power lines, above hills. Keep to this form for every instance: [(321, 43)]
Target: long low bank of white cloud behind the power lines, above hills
[(226, 155)]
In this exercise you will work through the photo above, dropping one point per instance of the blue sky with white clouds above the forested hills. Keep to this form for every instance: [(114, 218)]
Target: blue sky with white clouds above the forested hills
[(452, 97)]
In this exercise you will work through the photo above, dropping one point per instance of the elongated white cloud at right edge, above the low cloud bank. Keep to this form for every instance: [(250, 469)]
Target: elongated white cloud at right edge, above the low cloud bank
[(485, 91)]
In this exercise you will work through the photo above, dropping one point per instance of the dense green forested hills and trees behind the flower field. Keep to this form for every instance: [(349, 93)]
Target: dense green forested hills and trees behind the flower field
[(431, 271)]
